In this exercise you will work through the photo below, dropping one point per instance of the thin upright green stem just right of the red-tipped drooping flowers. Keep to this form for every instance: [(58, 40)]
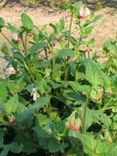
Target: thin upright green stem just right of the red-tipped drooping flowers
[(84, 115)]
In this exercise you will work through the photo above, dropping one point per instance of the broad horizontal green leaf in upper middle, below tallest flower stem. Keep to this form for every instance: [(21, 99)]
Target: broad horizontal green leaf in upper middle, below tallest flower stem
[(65, 53)]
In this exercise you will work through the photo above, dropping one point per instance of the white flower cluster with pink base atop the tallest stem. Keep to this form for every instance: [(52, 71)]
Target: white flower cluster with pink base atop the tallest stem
[(84, 13)]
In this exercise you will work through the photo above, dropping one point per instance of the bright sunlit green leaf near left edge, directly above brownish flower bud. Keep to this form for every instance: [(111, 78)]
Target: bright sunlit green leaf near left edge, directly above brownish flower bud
[(12, 105)]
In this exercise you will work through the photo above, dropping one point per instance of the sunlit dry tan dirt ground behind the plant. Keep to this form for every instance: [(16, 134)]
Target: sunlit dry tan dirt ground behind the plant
[(105, 28)]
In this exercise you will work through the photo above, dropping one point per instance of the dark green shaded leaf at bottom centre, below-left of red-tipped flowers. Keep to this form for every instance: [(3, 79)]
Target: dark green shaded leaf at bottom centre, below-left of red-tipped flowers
[(55, 146)]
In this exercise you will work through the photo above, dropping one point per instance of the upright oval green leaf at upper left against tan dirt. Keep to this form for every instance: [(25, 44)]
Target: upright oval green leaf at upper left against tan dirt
[(26, 21)]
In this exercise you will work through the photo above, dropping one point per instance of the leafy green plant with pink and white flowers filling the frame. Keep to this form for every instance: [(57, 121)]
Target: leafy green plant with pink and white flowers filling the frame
[(59, 100)]
